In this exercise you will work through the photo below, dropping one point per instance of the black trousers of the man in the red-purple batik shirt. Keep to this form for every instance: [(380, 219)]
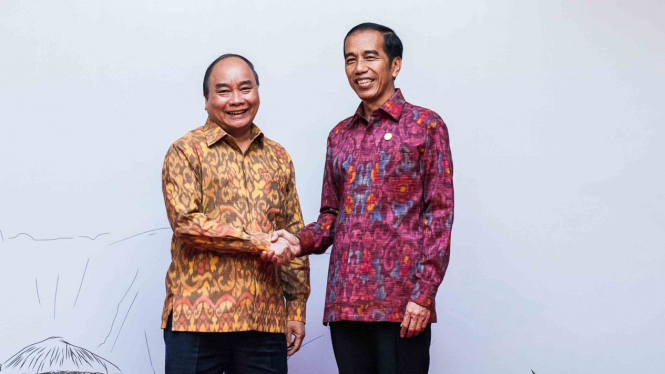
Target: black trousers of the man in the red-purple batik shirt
[(376, 348)]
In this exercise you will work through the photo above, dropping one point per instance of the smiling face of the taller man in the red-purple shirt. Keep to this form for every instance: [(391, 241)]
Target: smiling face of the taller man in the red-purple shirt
[(370, 72)]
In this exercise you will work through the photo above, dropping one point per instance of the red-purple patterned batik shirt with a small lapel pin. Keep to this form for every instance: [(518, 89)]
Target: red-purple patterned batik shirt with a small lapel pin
[(387, 208)]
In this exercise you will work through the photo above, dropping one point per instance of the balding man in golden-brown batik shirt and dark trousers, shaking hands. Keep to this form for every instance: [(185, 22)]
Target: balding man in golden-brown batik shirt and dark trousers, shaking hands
[(227, 187)]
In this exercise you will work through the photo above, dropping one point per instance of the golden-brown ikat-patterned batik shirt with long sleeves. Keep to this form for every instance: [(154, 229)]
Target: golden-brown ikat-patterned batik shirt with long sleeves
[(222, 205)]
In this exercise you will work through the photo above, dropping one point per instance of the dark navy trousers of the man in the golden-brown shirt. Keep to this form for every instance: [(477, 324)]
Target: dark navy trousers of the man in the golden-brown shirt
[(247, 352)]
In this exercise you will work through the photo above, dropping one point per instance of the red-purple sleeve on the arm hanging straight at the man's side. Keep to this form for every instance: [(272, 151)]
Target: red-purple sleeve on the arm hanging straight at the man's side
[(437, 172)]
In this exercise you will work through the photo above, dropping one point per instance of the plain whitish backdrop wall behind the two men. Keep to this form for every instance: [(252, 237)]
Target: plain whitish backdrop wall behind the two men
[(556, 122)]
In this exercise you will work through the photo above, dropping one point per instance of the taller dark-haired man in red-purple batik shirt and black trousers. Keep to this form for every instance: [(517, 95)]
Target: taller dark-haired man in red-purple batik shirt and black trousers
[(387, 208)]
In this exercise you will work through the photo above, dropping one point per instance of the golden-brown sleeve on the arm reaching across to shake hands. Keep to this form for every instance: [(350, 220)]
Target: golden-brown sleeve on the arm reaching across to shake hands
[(181, 185)]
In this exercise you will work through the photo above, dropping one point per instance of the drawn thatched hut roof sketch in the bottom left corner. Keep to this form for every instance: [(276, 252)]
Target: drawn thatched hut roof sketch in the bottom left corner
[(56, 356)]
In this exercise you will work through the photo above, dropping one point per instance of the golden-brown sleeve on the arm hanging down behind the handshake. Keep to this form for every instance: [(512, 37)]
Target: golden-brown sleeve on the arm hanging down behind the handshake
[(294, 277)]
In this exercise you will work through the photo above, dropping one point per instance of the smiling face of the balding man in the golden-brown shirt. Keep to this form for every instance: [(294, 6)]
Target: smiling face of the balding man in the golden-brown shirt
[(233, 96)]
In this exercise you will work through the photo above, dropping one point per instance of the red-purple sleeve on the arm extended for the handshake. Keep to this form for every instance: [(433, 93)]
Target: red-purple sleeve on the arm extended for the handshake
[(318, 236)]
